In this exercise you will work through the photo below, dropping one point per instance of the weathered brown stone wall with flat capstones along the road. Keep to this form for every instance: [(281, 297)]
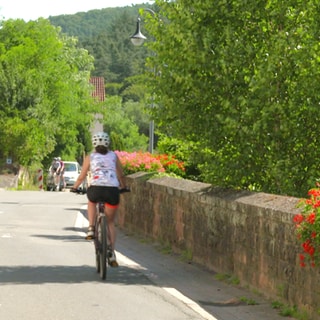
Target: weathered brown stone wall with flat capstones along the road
[(248, 235)]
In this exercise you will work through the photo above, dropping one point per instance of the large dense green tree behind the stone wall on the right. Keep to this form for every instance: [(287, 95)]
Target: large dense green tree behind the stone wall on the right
[(241, 81)]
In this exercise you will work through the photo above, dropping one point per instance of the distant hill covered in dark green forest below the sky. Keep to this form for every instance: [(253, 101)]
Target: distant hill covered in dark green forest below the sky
[(106, 35)]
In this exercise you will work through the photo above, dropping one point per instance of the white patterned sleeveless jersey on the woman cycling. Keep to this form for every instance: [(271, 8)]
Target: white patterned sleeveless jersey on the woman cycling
[(103, 169)]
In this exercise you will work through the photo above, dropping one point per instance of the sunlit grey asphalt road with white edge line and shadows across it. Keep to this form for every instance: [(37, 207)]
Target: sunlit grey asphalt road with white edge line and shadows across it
[(47, 271)]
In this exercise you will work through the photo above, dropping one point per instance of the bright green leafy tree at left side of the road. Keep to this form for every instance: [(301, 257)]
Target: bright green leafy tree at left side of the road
[(45, 94)]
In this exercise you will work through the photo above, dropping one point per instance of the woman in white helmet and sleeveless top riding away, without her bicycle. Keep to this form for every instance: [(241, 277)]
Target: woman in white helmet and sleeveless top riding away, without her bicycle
[(106, 180)]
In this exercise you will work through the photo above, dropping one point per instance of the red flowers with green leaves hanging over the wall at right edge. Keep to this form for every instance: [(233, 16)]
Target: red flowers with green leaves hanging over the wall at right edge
[(307, 224)]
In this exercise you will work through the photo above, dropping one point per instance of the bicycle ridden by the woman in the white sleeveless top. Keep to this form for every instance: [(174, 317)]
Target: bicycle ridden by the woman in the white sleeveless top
[(102, 250)]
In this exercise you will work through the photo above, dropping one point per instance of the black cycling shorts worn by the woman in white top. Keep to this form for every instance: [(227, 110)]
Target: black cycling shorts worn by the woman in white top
[(108, 195)]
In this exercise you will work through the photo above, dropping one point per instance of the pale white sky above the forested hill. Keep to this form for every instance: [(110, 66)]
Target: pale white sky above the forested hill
[(34, 9)]
